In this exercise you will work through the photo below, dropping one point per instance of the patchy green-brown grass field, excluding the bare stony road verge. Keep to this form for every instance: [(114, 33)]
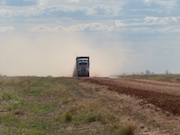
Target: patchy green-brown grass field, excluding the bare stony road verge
[(57, 106)]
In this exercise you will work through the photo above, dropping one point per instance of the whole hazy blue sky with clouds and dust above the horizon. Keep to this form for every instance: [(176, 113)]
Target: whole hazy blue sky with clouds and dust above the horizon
[(43, 37)]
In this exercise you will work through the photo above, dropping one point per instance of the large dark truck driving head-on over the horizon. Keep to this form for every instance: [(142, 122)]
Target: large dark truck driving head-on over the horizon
[(82, 66)]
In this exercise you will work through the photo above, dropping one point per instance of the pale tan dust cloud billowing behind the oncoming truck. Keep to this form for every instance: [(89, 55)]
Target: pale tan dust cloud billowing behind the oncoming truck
[(55, 55)]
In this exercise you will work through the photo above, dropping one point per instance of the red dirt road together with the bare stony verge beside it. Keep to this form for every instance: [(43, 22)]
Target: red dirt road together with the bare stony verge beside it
[(154, 104)]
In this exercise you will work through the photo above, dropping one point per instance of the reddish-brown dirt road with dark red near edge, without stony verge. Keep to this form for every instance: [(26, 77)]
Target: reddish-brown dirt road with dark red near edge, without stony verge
[(165, 95)]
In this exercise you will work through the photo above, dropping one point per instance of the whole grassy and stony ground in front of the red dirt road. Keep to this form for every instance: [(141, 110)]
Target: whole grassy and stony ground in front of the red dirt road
[(77, 106)]
